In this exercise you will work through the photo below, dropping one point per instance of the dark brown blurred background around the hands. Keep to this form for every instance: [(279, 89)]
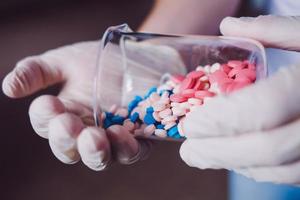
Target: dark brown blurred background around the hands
[(28, 170)]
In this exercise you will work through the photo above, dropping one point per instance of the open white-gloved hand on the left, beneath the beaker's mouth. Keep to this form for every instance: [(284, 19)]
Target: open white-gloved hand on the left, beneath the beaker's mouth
[(66, 120)]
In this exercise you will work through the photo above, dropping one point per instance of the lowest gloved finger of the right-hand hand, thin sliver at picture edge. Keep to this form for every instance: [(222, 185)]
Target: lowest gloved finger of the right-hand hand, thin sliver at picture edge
[(285, 174)]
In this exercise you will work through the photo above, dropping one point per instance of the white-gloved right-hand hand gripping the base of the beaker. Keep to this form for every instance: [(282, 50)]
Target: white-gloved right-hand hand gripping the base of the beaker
[(254, 131)]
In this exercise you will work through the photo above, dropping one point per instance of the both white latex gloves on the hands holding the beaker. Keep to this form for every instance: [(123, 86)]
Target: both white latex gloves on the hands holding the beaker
[(254, 131)]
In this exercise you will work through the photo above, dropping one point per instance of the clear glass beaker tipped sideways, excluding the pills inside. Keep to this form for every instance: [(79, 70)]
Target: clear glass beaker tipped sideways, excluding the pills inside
[(129, 63)]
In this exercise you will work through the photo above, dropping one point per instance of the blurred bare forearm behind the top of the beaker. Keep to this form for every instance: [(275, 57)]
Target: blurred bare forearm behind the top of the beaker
[(188, 16)]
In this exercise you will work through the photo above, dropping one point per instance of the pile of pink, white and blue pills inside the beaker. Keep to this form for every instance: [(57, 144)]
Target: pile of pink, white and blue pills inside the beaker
[(161, 109)]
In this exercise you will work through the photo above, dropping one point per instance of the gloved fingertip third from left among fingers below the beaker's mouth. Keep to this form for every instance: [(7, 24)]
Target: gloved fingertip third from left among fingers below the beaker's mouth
[(94, 148)]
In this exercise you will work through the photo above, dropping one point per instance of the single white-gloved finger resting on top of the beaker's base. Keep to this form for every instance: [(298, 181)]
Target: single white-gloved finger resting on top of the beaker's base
[(281, 32)]
